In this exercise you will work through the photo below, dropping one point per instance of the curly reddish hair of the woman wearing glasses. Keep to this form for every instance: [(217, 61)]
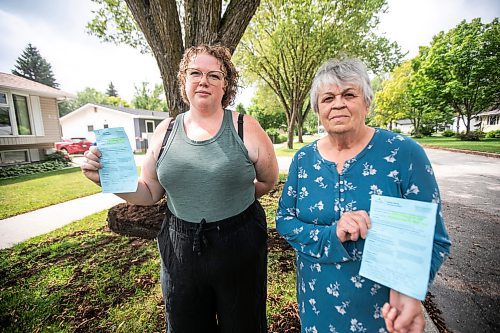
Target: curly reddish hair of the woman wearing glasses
[(223, 55)]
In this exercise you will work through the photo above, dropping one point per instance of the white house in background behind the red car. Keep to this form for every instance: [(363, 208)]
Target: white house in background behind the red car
[(138, 124)]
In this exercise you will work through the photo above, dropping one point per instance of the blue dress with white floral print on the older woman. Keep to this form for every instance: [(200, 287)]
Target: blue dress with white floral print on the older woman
[(331, 295)]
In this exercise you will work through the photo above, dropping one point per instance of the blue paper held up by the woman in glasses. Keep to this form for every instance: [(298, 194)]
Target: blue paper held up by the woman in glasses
[(119, 172)]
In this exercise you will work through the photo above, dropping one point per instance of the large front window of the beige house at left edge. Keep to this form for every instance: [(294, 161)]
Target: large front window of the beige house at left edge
[(15, 114)]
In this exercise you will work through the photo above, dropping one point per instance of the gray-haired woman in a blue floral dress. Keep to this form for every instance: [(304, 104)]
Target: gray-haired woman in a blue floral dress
[(323, 210)]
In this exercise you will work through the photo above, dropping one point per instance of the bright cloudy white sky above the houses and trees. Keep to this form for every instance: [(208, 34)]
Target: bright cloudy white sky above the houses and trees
[(57, 29)]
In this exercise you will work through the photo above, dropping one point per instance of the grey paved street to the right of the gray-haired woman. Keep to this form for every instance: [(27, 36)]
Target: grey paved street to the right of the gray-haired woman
[(467, 289)]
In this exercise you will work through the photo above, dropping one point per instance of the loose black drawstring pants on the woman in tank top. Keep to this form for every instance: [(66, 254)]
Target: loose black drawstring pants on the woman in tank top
[(214, 275)]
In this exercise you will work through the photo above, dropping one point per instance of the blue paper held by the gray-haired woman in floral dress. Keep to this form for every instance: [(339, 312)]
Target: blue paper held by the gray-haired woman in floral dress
[(398, 247)]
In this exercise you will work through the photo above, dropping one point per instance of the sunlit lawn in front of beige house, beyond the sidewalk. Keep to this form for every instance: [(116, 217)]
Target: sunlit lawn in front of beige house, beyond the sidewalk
[(26, 193)]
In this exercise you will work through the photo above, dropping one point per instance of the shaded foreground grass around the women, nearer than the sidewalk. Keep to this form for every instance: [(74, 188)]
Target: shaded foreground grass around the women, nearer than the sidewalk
[(84, 278)]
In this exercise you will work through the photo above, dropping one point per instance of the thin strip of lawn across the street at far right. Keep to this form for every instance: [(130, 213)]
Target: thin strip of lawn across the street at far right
[(489, 145)]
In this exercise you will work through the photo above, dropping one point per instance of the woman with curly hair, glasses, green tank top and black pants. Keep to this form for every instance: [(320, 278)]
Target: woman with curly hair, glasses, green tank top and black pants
[(212, 164)]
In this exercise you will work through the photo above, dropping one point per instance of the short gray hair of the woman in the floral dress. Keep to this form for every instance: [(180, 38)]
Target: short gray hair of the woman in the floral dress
[(340, 73)]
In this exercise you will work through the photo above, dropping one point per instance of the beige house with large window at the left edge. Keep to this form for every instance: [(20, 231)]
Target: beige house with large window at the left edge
[(29, 119)]
